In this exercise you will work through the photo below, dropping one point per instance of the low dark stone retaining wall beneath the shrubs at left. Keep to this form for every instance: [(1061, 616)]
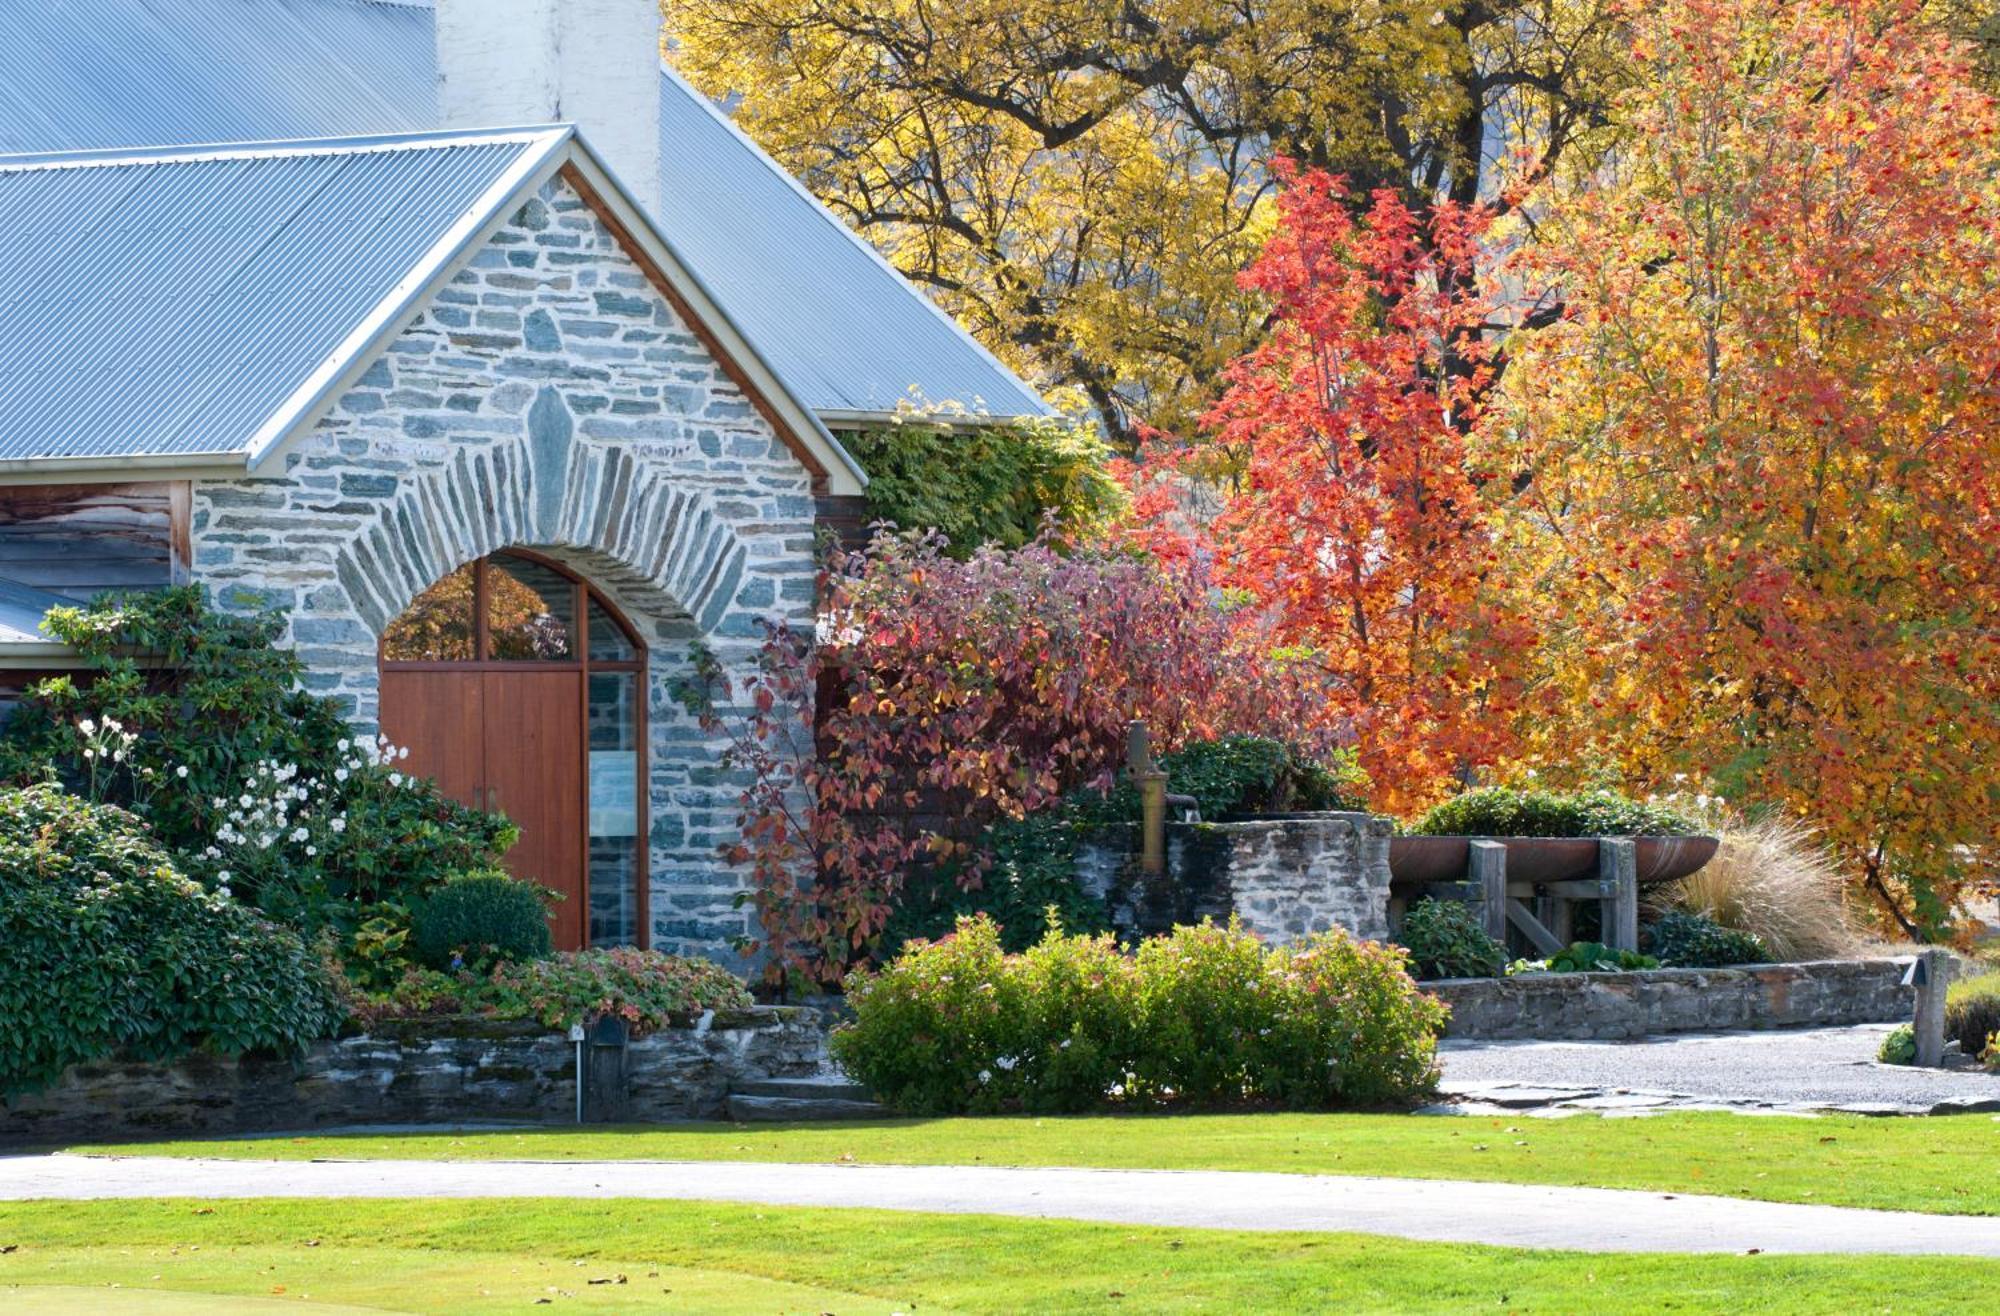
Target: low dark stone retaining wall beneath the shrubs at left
[(431, 1073)]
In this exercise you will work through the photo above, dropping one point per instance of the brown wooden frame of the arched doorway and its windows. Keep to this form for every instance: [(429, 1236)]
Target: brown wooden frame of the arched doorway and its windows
[(581, 597)]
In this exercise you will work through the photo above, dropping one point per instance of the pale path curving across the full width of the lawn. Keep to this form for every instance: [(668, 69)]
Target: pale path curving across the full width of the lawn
[(1509, 1215)]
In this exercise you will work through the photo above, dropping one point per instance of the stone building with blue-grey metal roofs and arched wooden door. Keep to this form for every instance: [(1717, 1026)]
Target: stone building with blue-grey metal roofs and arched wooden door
[(503, 419)]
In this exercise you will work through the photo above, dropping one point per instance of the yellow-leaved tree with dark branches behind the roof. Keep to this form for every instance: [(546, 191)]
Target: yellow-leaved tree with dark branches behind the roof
[(1081, 181)]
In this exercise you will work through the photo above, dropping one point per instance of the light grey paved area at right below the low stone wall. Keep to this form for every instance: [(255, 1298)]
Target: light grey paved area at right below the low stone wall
[(1813, 1069)]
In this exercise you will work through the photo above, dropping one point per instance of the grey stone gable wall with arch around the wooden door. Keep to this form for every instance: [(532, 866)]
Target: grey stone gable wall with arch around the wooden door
[(547, 399)]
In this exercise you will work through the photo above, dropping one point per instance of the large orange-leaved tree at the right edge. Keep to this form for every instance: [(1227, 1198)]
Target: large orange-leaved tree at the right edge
[(1759, 457)]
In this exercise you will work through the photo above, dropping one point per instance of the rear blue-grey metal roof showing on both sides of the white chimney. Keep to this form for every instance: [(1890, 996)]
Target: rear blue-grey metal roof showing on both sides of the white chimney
[(849, 333)]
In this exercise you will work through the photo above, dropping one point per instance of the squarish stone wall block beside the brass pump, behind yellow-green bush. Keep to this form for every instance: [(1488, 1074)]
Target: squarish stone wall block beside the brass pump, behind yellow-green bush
[(1283, 879)]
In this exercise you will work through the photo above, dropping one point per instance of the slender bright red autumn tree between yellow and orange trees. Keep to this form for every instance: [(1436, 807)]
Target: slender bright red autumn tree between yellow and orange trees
[(1359, 535)]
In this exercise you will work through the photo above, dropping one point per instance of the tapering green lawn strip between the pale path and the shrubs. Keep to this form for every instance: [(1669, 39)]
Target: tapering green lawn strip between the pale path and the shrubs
[(1937, 1165)]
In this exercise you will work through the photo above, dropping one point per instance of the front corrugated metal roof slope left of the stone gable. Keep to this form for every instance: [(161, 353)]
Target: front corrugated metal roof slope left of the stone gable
[(187, 301)]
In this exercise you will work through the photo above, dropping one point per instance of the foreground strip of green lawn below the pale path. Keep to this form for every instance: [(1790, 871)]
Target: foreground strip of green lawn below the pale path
[(509, 1255)]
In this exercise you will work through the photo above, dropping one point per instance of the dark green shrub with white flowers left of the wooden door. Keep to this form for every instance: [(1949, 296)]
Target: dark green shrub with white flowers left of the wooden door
[(255, 785)]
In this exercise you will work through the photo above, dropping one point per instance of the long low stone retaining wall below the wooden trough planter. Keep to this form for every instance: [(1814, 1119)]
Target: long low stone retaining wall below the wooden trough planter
[(1613, 1007)]
